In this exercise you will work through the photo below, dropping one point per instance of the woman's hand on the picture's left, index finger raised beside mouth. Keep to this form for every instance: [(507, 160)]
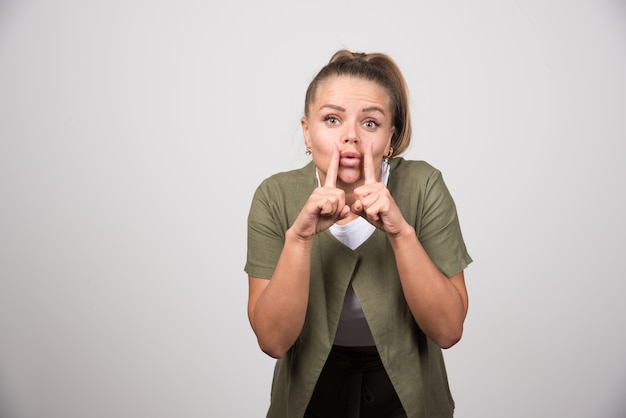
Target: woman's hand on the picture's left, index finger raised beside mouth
[(325, 206)]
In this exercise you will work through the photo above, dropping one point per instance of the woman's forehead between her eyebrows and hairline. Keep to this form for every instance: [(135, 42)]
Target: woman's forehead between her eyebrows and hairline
[(342, 89)]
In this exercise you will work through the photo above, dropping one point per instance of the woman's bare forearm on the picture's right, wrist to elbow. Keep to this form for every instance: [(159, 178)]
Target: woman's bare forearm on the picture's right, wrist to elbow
[(436, 304)]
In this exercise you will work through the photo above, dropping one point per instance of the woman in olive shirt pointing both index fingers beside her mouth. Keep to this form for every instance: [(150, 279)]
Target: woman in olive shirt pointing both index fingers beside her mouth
[(355, 261)]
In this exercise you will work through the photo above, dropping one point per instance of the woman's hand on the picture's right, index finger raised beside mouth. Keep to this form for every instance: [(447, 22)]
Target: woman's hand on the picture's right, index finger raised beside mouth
[(374, 201)]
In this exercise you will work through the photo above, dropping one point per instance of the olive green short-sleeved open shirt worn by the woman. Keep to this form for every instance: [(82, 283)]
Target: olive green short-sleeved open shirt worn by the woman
[(414, 363)]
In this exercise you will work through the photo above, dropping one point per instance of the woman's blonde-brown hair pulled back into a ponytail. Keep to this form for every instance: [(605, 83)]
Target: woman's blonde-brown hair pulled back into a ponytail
[(381, 69)]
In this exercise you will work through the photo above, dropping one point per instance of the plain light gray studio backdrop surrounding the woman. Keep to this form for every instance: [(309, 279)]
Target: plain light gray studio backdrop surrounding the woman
[(133, 134)]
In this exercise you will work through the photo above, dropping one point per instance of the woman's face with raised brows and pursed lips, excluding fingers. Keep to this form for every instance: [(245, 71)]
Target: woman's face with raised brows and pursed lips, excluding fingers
[(350, 113)]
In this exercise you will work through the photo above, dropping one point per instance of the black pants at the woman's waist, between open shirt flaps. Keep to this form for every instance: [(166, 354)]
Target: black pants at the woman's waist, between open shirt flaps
[(354, 386)]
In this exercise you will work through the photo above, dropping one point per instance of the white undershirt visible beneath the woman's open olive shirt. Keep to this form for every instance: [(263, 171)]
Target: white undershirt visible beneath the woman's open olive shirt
[(353, 330)]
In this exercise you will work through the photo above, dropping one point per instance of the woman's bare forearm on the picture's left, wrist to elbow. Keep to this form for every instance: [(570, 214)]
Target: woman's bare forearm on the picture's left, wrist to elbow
[(281, 308)]
